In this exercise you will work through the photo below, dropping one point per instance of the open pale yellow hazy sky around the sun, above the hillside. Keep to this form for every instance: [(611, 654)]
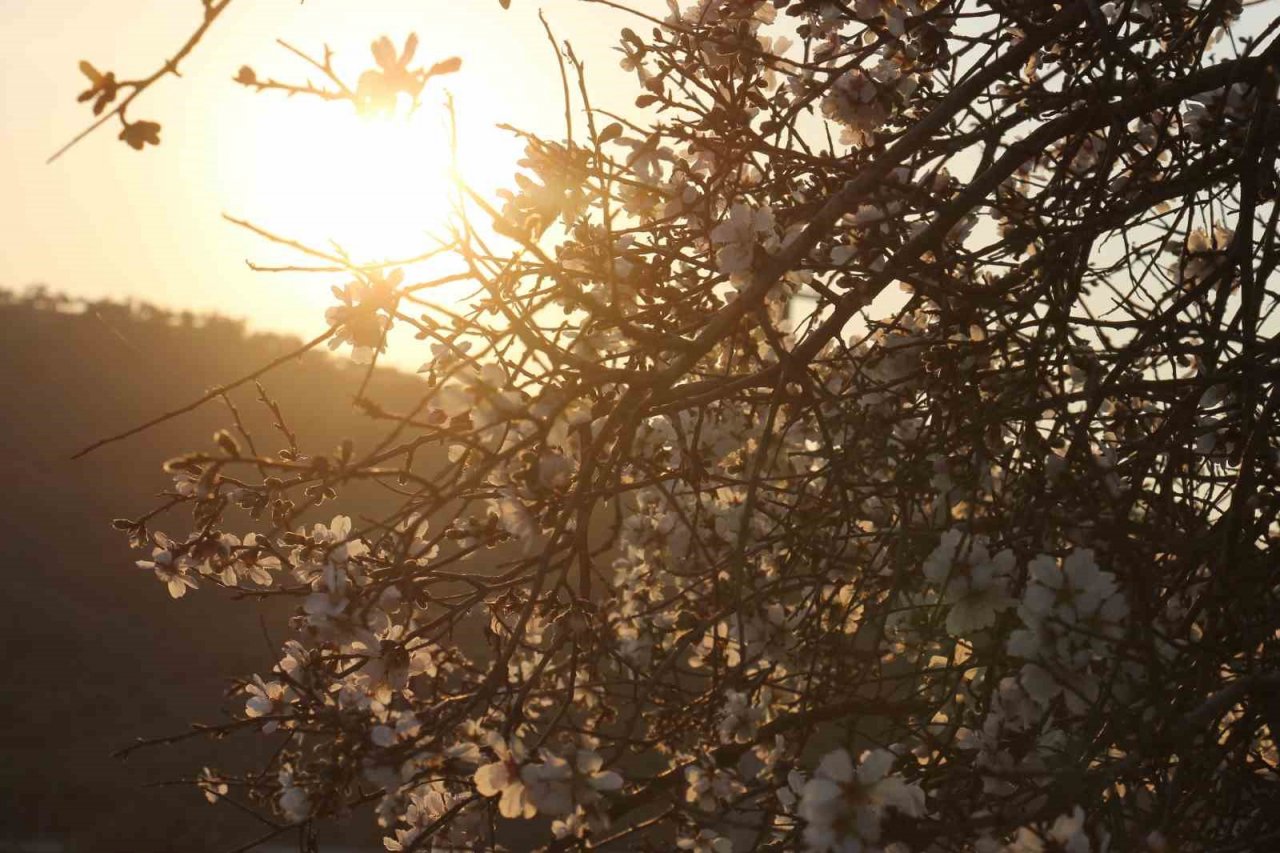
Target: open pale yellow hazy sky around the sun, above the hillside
[(109, 221)]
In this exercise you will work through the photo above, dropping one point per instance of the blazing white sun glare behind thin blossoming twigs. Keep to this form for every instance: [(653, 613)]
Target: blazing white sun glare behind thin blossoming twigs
[(376, 190)]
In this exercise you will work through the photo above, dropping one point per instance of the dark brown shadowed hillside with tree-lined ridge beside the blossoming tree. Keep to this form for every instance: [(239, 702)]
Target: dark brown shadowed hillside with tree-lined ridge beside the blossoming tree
[(97, 651)]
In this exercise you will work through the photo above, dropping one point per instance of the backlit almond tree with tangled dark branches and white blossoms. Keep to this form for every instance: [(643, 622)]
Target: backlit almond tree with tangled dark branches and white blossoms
[(870, 443)]
